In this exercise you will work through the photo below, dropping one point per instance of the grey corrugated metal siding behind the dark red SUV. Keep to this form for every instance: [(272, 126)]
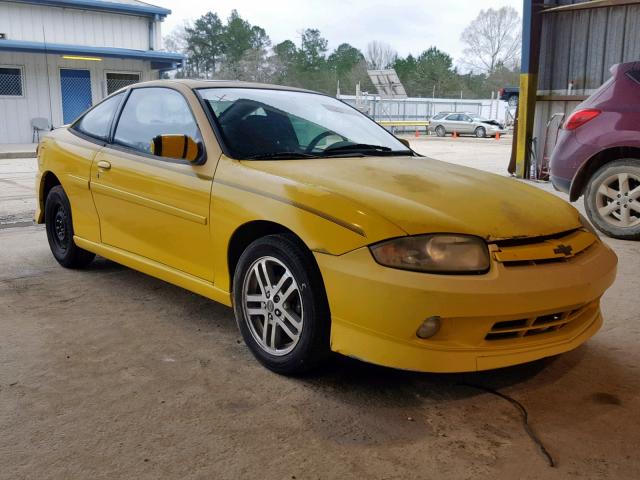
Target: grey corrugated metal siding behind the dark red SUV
[(580, 46)]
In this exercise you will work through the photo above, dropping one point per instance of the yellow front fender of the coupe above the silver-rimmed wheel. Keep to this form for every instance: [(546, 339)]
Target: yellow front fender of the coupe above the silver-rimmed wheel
[(324, 221)]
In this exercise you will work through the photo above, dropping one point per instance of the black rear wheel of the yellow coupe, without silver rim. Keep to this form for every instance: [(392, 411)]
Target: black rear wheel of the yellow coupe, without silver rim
[(57, 217)]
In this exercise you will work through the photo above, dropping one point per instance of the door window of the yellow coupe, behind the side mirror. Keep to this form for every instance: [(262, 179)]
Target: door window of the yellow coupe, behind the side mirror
[(150, 112)]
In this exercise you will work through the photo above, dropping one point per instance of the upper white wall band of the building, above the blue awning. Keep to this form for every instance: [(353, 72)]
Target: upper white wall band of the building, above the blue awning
[(74, 26)]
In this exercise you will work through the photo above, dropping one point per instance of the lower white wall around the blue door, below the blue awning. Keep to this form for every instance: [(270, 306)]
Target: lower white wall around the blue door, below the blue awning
[(41, 91)]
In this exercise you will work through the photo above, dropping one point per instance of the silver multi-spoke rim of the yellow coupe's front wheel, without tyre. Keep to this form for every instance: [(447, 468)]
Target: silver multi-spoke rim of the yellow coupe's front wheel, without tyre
[(272, 306)]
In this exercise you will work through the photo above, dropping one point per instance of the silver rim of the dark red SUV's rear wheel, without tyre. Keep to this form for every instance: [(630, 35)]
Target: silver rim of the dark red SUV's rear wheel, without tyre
[(617, 200)]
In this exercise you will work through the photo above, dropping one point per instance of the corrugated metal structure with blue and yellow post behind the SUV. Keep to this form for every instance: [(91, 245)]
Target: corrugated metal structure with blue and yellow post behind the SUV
[(568, 49)]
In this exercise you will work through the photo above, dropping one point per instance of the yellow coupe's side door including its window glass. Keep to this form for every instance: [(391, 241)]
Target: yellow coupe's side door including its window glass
[(152, 206)]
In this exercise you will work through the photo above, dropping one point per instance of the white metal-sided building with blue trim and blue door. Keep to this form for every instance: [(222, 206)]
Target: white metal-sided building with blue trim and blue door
[(58, 57)]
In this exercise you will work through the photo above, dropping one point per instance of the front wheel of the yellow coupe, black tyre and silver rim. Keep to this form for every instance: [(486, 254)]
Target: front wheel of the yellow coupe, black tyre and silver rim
[(280, 305)]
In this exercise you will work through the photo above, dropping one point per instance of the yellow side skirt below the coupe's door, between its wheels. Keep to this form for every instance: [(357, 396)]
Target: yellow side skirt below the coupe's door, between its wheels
[(158, 270)]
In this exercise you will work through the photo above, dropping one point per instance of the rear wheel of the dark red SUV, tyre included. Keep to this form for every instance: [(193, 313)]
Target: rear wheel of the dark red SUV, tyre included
[(612, 199)]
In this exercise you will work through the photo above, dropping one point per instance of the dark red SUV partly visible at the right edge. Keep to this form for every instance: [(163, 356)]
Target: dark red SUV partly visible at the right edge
[(598, 154)]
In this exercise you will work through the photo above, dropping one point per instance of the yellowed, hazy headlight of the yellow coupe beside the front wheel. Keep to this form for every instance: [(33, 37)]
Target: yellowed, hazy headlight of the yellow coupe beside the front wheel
[(438, 253)]
